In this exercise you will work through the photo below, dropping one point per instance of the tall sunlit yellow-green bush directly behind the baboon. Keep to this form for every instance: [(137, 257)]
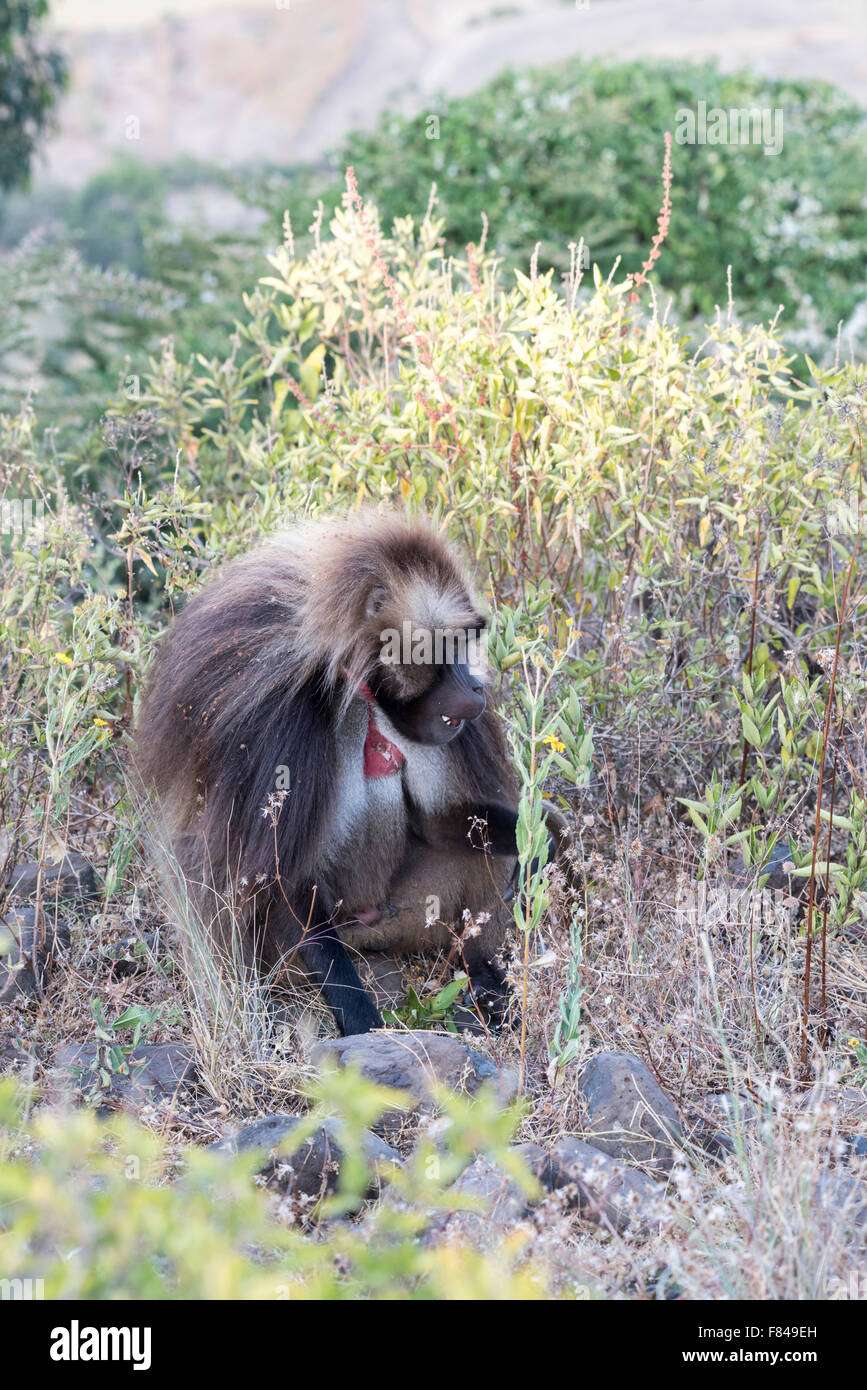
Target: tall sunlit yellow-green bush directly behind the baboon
[(619, 489)]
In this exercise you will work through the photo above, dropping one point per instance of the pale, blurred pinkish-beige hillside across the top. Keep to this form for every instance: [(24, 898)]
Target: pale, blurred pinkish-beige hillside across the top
[(286, 80)]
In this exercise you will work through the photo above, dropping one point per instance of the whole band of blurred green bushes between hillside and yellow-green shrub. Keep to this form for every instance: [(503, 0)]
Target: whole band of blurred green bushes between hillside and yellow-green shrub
[(550, 159)]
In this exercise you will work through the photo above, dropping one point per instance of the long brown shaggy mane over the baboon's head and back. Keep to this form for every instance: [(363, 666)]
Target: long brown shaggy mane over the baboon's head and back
[(280, 640)]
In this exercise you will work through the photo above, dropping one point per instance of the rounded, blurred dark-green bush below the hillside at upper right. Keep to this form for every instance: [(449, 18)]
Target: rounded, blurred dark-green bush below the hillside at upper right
[(573, 152)]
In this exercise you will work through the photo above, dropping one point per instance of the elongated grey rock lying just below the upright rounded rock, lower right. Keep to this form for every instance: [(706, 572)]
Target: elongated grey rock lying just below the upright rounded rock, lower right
[(601, 1189)]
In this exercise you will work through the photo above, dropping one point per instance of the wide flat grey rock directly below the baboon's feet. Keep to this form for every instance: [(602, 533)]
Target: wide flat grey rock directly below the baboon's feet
[(415, 1061)]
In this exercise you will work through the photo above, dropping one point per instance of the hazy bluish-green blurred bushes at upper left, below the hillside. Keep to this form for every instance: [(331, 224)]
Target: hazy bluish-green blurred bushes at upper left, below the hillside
[(94, 281)]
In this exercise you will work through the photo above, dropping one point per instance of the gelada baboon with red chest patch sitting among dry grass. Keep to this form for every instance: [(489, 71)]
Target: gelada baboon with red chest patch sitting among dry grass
[(326, 786)]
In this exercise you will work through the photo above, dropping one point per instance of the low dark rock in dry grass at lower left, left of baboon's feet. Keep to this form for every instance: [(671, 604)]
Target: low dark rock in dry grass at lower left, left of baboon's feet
[(156, 1071)]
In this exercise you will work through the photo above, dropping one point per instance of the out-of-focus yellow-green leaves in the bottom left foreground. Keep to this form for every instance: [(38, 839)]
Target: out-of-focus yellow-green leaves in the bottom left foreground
[(105, 1211)]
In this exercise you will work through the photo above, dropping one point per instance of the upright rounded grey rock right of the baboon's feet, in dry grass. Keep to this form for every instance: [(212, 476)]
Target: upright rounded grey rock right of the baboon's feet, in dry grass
[(629, 1115)]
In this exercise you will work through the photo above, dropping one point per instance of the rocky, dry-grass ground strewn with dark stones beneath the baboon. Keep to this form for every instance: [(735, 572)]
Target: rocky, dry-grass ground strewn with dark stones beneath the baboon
[(633, 1161)]
